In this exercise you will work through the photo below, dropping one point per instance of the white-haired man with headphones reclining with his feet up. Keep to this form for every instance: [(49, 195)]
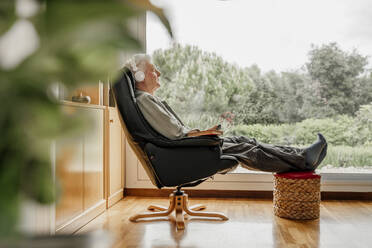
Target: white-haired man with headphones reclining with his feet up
[(250, 153)]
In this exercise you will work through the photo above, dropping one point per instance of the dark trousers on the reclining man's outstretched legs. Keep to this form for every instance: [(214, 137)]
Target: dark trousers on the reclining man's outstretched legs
[(254, 155)]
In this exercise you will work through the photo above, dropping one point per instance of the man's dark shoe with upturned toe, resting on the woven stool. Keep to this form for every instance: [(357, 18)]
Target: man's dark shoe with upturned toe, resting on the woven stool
[(316, 152)]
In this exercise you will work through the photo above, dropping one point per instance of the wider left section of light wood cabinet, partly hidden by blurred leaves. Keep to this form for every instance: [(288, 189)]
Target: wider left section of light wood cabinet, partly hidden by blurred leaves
[(80, 172)]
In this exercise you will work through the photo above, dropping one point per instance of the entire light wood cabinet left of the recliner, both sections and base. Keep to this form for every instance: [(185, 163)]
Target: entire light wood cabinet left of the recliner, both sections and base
[(89, 167)]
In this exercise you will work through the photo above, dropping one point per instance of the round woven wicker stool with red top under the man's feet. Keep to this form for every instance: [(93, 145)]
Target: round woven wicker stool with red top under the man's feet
[(297, 195)]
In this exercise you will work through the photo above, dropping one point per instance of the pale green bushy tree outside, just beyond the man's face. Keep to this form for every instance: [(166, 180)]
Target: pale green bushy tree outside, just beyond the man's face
[(197, 83)]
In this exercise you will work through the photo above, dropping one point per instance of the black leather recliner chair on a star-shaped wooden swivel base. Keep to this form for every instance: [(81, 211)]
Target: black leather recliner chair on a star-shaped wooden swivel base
[(178, 163)]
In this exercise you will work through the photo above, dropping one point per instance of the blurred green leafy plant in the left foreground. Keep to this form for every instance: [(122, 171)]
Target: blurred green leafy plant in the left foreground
[(78, 41)]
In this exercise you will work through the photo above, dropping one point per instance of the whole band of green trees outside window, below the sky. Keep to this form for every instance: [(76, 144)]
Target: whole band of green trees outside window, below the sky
[(332, 83)]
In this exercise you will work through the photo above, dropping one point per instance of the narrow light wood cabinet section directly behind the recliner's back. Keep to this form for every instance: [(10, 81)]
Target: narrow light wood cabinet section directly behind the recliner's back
[(115, 157)]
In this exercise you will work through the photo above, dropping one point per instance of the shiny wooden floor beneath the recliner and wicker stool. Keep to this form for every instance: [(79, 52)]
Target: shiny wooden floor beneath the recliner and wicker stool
[(251, 224)]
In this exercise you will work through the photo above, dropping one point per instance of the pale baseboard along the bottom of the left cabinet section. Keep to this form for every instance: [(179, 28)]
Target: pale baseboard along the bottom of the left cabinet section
[(82, 219)]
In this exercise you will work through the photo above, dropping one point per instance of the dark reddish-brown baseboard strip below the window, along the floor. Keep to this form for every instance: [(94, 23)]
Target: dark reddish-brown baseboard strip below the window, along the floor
[(362, 196)]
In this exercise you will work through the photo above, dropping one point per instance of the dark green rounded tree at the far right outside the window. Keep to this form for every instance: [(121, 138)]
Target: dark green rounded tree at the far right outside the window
[(336, 76)]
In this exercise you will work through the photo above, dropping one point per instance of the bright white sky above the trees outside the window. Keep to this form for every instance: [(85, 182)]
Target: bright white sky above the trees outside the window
[(274, 34)]
